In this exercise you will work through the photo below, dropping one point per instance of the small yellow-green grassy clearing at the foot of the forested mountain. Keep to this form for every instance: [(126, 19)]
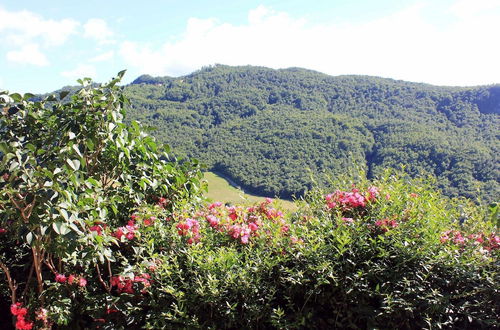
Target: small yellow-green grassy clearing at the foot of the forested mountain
[(219, 189)]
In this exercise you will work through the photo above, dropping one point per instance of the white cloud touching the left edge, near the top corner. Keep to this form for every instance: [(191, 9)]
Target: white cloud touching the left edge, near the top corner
[(23, 27)]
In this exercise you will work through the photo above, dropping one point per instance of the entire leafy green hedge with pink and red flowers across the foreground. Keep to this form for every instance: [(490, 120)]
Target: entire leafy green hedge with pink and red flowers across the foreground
[(98, 230)]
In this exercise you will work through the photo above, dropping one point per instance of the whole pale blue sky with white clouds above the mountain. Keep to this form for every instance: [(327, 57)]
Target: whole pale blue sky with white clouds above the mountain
[(45, 45)]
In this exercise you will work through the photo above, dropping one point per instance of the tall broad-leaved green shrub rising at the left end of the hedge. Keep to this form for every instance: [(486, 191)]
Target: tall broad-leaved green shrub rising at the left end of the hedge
[(68, 171)]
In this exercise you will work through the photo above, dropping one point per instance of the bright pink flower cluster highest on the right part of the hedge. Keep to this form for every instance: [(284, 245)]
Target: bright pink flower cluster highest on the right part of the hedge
[(348, 200)]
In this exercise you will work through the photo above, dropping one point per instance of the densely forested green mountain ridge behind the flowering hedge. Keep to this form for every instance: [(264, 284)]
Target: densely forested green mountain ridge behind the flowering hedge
[(272, 130)]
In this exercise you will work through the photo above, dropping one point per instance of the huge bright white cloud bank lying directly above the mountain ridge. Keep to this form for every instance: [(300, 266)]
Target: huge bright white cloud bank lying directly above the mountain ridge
[(404, 45)]
